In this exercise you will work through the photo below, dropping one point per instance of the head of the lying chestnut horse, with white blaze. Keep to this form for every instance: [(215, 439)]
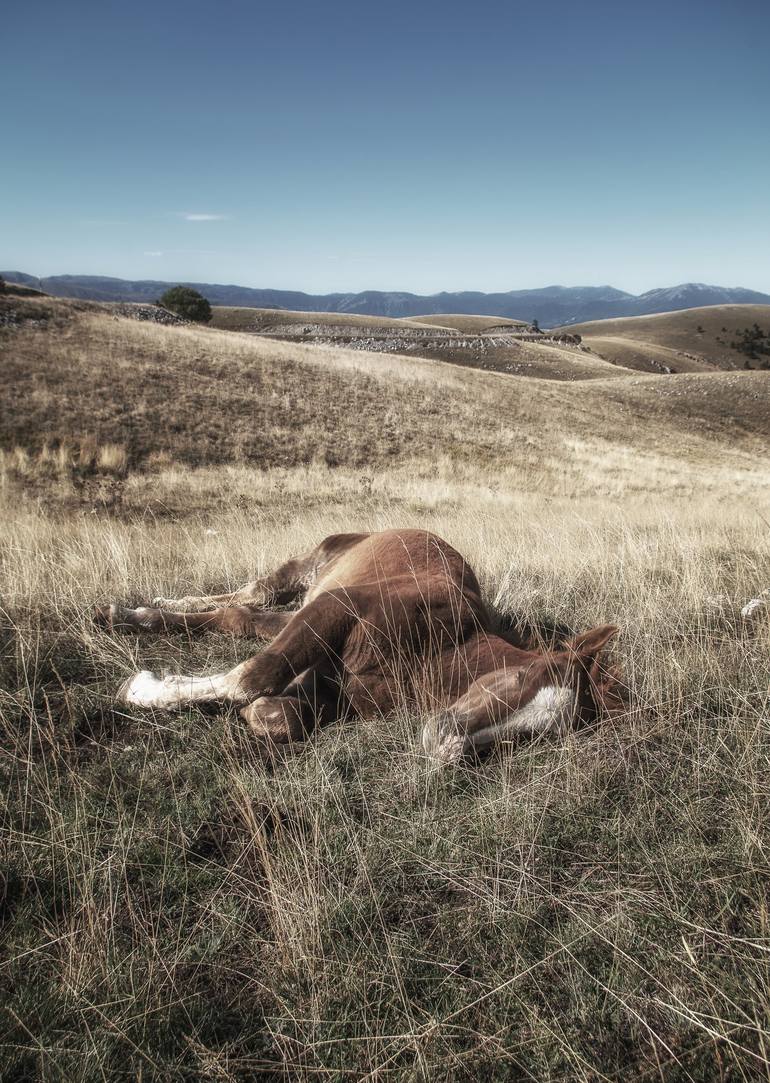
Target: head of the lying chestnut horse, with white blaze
[(544, 693)]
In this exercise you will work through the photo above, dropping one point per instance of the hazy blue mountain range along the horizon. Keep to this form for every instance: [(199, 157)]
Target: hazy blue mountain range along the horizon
[(553, 306)]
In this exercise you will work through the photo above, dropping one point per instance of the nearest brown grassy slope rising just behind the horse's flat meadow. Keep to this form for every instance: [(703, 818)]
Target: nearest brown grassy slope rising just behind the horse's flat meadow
[(201, 396)]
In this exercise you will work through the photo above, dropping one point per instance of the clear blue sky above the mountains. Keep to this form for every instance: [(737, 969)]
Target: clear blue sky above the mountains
[(419, 147)]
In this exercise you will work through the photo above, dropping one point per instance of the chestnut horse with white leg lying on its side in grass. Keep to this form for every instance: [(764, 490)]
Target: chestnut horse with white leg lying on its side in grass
[(381, 617)]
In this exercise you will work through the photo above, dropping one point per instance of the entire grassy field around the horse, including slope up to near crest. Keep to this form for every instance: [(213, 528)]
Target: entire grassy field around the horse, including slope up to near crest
[(578, 909)]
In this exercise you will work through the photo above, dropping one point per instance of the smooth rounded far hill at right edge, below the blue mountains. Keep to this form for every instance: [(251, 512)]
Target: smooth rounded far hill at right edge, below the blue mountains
[(695, 341)]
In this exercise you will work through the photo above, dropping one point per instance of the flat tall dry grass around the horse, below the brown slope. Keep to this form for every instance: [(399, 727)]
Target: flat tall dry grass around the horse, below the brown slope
[(588, 908)]
